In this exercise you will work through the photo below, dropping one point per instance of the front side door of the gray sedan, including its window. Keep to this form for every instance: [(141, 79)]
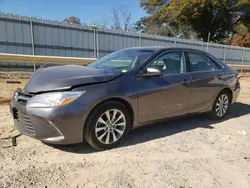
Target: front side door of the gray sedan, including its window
[(167, 95)]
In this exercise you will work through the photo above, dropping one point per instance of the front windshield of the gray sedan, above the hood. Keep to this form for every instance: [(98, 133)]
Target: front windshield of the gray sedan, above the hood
[(123, 60)]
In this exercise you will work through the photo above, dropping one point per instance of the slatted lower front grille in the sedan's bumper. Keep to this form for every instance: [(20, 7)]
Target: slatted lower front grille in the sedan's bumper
[(24, 122)]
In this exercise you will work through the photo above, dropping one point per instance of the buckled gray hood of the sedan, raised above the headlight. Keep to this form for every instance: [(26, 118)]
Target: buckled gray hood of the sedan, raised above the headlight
[(64, 77)]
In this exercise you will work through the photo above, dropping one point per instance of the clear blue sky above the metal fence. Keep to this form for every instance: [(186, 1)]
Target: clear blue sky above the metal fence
[(89, 11)]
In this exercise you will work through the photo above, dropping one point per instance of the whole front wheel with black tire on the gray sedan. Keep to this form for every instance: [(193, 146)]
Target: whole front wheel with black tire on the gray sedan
[(105, 133)]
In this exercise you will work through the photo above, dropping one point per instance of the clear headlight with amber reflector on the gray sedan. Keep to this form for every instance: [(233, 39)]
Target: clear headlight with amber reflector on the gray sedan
[(54, 99)]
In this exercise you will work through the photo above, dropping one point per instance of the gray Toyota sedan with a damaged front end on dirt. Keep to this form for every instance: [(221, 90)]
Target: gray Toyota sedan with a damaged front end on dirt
[(103, 101)]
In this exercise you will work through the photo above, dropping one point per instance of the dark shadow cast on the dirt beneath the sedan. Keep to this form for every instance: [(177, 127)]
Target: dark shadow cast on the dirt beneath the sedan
[(165, 128)]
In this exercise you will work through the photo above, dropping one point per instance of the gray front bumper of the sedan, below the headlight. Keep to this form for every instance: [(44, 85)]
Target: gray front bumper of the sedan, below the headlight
[(58, 125)]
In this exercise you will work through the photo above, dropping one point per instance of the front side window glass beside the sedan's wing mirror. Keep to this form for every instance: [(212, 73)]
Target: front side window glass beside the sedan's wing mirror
[(170, 63)]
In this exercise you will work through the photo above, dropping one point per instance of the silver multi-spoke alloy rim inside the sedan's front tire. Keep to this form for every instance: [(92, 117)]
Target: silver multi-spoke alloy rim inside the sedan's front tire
[(110, 126)]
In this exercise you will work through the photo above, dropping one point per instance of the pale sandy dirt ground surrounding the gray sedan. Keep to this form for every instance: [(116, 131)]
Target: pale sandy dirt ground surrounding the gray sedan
[(183, 153)]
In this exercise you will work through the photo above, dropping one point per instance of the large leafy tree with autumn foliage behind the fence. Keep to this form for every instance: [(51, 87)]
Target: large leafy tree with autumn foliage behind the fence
[(217, 17)]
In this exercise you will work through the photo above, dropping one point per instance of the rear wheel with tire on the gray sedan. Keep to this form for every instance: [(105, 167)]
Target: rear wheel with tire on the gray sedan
[(220, 106)]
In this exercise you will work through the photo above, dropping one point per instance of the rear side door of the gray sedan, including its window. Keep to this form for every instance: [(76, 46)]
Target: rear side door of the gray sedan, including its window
[(206, 76)]
